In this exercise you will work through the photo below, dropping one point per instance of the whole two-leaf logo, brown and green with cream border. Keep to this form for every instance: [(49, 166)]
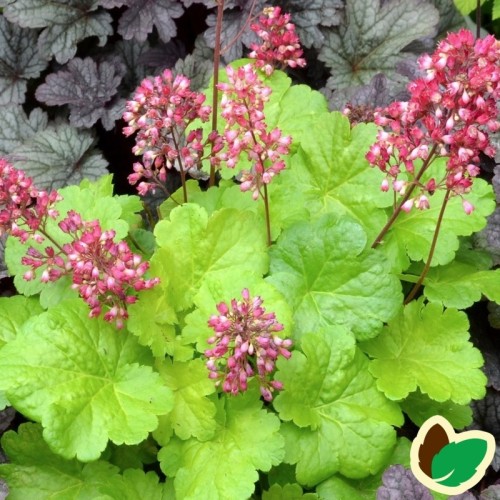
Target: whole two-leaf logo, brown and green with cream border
[(448, 462)]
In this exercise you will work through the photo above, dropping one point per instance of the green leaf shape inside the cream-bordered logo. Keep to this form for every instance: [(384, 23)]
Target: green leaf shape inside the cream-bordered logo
[(457, 462)]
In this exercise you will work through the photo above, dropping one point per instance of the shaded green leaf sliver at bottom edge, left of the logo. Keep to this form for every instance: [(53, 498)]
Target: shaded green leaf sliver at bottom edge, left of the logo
[(363, 489)]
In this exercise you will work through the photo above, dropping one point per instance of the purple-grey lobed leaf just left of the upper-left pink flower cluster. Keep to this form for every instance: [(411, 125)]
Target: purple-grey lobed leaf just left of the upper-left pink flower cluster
[(88, 88)]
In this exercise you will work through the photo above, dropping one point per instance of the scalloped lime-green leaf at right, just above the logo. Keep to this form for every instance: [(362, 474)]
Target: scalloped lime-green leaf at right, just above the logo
[(428, 348)]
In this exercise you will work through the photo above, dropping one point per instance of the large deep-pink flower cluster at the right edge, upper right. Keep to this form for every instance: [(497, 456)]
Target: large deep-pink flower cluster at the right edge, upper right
[(450, 114)]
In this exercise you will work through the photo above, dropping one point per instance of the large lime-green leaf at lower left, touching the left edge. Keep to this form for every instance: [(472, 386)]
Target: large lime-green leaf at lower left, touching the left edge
[(84, 381)]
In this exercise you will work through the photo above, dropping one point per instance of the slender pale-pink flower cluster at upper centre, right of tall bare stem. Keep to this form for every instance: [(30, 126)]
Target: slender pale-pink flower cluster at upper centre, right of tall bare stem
[(242, 105)]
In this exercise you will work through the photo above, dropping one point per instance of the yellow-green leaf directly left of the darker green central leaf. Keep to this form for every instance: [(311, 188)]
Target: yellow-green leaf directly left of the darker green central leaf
[(193, 246)]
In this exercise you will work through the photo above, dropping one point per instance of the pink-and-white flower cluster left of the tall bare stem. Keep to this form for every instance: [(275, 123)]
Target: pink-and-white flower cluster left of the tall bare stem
[(162, 108)]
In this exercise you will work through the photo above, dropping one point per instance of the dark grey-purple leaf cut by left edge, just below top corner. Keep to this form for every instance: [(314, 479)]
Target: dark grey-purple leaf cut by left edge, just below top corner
[(19, 61)]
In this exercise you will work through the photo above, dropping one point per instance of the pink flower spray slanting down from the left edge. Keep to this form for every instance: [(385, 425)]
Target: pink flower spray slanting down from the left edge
[(105, 273)]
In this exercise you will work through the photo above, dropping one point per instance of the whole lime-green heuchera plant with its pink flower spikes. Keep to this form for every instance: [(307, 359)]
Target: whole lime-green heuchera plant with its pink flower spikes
[(188, 387)]
